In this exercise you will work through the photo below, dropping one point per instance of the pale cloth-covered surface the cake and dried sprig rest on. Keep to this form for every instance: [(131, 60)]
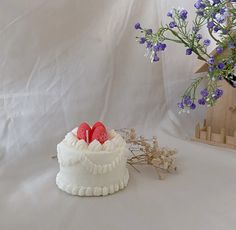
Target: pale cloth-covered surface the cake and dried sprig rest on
[(200, 196)]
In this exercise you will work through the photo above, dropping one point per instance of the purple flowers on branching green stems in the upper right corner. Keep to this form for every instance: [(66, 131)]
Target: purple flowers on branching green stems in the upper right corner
[(219, 17)]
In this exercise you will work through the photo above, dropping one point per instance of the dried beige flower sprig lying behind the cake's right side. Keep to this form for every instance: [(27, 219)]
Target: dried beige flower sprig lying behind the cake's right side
[(147, 152)]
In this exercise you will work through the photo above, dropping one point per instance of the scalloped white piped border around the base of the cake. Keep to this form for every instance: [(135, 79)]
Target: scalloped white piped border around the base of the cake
[(92, 191)]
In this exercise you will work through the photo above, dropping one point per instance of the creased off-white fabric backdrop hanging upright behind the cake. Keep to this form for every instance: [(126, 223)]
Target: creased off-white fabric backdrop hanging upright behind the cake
[(68, 61)]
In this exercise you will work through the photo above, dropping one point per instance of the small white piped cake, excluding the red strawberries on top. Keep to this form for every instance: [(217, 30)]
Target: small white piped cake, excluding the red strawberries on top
[(92, 170)]
